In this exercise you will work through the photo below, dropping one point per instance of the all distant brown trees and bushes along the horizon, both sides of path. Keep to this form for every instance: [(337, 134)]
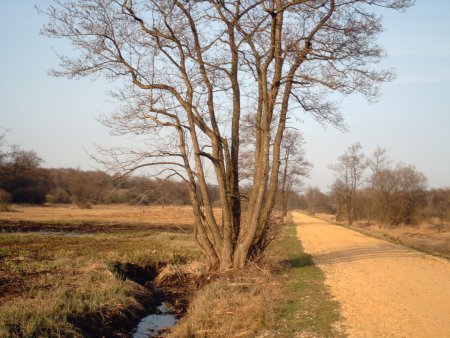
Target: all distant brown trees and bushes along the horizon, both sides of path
[(368, 188)]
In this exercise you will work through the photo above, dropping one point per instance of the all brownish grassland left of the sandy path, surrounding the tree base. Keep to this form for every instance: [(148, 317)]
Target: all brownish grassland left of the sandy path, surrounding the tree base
[(72, 272)]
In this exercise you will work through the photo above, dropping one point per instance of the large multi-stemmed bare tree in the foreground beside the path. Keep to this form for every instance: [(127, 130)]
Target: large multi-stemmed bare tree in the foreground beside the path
[(191, 69)]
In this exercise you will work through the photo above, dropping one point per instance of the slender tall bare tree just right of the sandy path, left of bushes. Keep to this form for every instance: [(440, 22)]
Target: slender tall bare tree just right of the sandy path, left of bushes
[(349, 173)]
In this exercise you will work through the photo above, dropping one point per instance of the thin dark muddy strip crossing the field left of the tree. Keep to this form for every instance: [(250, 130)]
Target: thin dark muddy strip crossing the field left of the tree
[(8, 226)]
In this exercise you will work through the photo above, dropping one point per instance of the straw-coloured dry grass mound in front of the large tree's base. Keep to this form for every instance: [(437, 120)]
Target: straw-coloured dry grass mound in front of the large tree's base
[(233, 305)]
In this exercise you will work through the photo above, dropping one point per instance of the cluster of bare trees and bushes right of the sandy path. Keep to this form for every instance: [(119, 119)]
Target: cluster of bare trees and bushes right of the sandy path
[(371, 188)]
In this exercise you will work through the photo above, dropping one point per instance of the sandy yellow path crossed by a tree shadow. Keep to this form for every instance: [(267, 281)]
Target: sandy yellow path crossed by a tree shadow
[(385, 290)]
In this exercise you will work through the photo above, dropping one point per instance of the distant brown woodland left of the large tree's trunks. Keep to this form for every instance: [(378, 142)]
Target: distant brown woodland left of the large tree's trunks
[(24, 180)]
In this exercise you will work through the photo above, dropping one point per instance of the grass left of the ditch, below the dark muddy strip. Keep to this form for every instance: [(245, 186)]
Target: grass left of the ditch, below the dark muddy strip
[(48, 280)]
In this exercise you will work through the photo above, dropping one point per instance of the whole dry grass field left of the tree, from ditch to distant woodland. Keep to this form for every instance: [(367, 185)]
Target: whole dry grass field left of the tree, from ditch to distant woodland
[(60, 278)]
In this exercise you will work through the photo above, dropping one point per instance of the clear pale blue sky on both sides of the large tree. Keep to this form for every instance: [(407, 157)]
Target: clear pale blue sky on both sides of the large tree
[(57, 117)]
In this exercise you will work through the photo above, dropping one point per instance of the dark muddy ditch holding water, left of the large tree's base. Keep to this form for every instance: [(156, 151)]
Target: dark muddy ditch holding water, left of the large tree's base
[(163, 298)]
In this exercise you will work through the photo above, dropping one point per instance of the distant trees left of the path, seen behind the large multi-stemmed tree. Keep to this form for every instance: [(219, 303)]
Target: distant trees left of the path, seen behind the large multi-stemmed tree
[(23, 180)]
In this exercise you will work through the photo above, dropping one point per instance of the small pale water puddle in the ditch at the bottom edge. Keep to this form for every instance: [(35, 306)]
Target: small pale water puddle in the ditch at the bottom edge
[(151, 325)]
